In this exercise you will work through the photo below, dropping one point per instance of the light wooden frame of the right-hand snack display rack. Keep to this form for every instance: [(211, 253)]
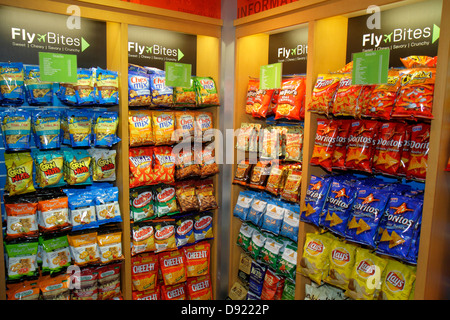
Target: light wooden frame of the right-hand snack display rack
[(327, 39)]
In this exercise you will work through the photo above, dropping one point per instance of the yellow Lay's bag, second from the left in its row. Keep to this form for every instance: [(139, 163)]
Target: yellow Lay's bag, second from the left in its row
[(342, 259)]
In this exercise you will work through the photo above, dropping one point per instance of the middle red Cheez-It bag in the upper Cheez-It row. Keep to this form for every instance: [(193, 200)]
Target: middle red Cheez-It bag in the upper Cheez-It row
[(173, 267)]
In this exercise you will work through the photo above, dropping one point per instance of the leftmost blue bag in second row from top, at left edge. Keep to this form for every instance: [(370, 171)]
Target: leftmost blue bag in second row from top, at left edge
[(16, 129)]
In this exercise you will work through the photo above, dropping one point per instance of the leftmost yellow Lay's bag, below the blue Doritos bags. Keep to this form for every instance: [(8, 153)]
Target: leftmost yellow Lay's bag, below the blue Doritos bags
[(314, 263)]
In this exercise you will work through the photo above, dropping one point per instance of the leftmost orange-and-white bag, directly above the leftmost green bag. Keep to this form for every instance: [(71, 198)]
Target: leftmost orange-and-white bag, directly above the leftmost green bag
[(21, 217)]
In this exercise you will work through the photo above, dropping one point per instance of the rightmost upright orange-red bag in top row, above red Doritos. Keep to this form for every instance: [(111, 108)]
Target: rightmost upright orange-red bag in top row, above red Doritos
[(415, 99)]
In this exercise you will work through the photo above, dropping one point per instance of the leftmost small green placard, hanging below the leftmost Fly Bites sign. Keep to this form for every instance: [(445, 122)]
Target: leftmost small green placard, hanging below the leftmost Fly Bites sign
[(58, 67)]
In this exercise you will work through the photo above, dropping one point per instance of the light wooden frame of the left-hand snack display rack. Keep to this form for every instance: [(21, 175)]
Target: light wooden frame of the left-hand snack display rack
[(118, 15)]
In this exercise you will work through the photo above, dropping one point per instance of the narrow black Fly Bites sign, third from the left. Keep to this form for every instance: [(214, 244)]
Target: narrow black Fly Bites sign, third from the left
[(290, 48)]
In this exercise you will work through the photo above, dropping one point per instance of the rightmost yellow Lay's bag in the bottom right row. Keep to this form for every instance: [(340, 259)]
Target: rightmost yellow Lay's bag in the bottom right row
[(398, 281)]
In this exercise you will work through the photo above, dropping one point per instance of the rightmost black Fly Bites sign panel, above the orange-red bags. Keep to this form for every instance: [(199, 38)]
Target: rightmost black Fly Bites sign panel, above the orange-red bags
[(407, 30)]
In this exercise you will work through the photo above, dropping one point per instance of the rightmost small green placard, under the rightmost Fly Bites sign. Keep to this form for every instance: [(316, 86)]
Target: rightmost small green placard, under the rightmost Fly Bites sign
[(370, 67)]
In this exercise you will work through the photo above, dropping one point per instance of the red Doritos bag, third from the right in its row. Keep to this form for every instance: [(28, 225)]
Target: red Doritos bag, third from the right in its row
[(361, 145)]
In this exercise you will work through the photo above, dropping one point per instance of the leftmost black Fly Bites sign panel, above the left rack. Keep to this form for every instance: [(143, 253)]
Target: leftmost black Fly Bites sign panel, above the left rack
[(24, 33)]
